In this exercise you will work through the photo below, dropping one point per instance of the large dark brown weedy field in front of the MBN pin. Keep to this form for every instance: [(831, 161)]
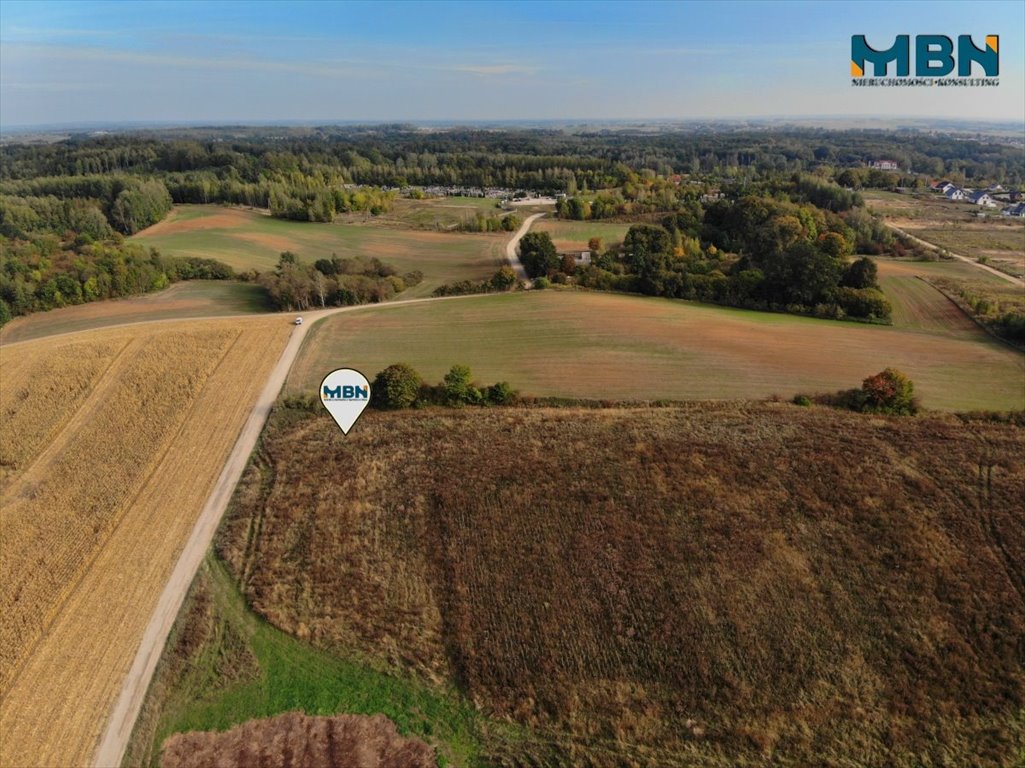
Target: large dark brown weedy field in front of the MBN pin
[(715, 585)]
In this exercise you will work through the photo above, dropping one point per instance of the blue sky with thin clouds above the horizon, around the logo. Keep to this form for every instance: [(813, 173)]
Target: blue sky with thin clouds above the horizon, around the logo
[(236, 62)]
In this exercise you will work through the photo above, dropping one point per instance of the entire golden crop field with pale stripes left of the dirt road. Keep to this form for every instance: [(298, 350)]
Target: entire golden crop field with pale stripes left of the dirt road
[(111, 442)]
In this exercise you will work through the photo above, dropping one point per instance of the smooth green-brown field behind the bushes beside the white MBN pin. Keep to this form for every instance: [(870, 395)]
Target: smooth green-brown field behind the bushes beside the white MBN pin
[(614, 347)]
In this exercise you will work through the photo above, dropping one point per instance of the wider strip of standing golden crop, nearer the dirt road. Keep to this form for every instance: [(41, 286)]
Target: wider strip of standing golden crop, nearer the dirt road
[(56, 518)]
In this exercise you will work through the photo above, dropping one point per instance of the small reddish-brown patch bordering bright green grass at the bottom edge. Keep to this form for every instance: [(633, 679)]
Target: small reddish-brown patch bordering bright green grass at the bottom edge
[(295, 741)]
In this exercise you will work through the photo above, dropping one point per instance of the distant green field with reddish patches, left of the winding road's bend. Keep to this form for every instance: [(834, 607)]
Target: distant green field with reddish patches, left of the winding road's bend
[(253, 240)]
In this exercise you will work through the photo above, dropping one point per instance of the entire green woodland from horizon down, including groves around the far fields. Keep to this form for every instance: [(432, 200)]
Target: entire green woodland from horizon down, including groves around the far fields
[(767, 220)]
